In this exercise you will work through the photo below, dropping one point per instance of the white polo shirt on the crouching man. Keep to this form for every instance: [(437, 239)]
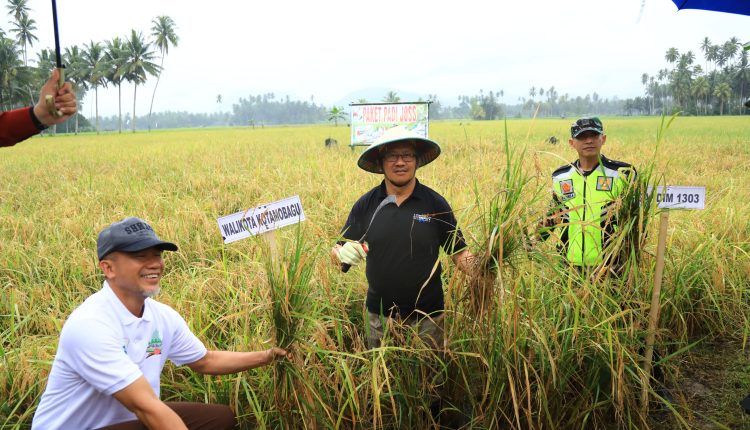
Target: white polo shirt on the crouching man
[(104, 348)]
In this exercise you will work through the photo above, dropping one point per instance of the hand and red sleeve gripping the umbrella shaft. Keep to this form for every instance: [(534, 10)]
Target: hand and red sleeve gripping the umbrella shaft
[(20, 124)]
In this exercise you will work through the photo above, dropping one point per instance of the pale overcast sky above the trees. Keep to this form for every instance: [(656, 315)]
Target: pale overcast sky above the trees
[(331, 49)]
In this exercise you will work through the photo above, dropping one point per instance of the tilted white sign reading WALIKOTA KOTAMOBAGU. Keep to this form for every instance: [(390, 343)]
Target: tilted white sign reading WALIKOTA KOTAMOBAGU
[(261, 219)]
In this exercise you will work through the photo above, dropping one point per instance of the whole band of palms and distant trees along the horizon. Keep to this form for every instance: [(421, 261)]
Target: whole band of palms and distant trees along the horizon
[(683, 85)]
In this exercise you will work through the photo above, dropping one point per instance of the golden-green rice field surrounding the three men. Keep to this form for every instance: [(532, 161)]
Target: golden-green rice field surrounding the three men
[(535, 347)]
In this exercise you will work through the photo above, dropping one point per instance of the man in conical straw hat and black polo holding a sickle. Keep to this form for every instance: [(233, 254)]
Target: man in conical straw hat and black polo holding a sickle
[(398, 227)]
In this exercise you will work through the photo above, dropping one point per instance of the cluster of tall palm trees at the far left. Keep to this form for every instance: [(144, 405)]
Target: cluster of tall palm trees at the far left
[(94, 65)]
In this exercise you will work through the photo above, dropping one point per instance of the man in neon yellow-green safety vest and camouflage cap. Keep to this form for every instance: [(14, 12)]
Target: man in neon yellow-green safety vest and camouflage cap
[(583, 193)]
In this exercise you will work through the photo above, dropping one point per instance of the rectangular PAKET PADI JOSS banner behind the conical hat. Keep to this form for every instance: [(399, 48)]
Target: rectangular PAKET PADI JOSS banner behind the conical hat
[(369, 121)]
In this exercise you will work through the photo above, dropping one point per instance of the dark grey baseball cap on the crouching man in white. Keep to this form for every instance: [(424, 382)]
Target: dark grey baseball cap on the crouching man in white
[(130, 235)]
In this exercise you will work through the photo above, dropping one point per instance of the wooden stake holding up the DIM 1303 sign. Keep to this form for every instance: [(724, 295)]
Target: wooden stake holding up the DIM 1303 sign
[(653, 315)]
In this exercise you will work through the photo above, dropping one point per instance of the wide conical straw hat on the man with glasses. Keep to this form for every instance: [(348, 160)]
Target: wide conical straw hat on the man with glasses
[(427, 150)]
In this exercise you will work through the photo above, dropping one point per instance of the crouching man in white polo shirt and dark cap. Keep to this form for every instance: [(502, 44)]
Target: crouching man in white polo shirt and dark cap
[(114, 345)]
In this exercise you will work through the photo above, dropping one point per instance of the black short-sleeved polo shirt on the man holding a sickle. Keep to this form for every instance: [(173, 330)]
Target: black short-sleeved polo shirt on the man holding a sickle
[(404, 244)]
